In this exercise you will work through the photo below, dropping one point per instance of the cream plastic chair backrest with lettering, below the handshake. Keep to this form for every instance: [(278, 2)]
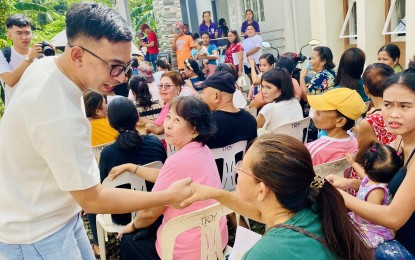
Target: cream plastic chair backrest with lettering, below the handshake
[(208, 220)]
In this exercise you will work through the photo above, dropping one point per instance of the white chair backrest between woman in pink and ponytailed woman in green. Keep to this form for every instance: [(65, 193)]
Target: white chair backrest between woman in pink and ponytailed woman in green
[(228, 154)]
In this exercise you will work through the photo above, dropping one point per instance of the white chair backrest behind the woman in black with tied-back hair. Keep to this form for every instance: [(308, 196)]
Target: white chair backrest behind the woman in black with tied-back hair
[(136, 182)]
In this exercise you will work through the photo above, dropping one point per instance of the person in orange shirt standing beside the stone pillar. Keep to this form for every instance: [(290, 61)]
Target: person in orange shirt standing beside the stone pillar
[(182, 44)]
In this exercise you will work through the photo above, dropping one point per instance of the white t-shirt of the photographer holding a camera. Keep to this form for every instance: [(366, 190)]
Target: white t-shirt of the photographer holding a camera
[(15, 60)]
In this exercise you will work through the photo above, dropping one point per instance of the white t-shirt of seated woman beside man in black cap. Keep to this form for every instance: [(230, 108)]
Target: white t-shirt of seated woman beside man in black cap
[(280, 113)]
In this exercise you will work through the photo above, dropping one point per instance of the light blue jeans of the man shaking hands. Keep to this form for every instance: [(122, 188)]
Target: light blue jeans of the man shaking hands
[(70, 242)]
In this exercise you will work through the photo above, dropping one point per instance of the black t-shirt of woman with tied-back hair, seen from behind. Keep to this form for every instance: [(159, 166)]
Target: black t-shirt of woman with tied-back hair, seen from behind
[(150, 150)]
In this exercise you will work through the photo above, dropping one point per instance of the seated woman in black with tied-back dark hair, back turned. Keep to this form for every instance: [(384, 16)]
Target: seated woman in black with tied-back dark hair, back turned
[(129, 147)]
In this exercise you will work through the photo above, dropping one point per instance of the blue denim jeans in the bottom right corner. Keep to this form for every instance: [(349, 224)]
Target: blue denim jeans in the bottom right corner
[(392, 249)]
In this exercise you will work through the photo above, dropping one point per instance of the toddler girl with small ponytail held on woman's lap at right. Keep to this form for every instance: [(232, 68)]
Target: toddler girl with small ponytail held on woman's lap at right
[(380, 164)]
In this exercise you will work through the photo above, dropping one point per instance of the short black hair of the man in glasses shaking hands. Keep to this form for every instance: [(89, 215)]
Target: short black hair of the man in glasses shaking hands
[(96, 21)]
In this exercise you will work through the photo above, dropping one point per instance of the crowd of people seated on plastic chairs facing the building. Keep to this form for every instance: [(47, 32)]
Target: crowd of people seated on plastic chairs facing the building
[(335, 100)]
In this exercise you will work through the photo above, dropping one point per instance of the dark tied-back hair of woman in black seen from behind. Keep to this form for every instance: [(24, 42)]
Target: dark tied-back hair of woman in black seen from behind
[(123, 116)]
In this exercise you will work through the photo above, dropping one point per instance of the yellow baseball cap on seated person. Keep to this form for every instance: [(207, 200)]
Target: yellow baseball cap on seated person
[(345, 100)]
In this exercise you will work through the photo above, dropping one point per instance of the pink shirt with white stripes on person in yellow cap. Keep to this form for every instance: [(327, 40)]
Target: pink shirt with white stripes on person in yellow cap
[(327, 149)]
